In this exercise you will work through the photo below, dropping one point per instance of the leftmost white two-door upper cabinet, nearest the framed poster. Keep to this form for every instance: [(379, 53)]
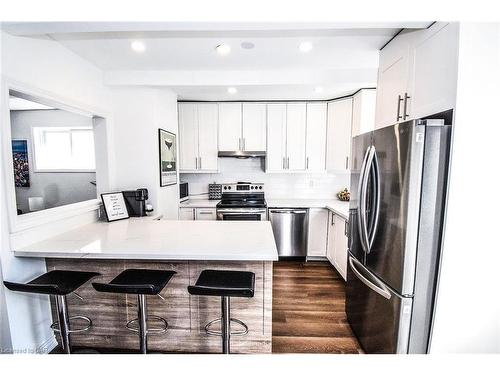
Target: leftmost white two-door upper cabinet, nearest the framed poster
[(198, 137)]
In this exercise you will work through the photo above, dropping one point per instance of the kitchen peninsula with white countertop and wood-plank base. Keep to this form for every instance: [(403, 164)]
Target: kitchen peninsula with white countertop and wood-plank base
[(186, 247)]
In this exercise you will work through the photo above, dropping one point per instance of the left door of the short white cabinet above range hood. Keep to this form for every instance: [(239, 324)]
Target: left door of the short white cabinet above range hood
[(230, 138)]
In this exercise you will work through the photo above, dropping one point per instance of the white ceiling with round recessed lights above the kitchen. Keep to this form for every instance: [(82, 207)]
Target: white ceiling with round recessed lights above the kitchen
[(182, 56)]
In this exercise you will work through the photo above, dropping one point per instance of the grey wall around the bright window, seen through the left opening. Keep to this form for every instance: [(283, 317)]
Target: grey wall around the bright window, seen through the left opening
[(57, 188)]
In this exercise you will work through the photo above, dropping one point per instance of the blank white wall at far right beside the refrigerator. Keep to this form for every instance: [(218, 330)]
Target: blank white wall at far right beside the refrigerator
[(467, 317)]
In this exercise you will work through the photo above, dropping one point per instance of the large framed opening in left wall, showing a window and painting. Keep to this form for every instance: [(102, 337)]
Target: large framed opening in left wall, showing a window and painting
[(53, 154)]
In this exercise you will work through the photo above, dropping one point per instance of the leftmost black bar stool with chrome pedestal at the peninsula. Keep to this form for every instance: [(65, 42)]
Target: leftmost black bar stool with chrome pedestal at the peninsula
[(59, 284)]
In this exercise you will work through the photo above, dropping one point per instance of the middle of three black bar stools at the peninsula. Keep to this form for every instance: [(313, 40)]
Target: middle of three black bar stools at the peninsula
[(140, 282)]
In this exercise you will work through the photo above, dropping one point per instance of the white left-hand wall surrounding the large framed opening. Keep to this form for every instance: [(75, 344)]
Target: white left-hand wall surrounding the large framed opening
[(48, 67)]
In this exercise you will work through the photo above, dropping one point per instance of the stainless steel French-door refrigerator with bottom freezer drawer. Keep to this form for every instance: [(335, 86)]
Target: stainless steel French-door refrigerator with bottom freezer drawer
[(396, 212)]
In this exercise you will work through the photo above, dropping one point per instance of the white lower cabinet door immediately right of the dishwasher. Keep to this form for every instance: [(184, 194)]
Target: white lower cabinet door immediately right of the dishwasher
[(317, 232)]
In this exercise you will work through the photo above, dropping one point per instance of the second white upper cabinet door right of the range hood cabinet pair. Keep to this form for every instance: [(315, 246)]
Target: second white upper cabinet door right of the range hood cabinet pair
[(296, 136)]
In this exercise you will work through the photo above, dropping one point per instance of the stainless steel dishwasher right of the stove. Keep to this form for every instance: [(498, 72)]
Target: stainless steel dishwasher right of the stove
[(290, 230)]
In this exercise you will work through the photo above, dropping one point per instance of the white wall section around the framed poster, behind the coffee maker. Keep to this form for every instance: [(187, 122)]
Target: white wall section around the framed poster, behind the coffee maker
[(138, 114)]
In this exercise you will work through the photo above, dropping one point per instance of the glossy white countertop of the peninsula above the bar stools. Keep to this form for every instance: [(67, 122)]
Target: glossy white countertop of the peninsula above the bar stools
[(162, 240)]
